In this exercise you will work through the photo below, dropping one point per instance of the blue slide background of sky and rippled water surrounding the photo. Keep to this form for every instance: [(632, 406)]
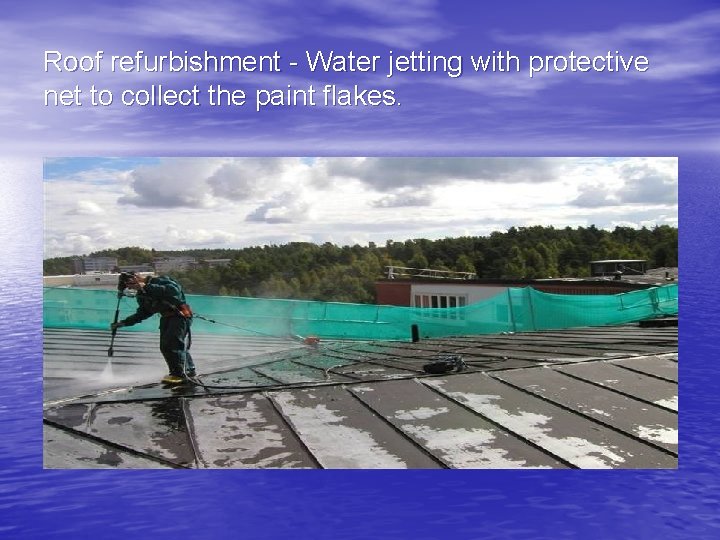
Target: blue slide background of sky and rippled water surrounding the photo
[(673, 112)]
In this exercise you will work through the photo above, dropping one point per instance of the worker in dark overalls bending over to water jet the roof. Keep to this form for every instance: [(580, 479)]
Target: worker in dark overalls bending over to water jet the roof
[(165, 296)]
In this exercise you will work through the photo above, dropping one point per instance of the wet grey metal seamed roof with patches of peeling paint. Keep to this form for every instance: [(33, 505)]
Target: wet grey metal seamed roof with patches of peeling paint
[(583, 398)]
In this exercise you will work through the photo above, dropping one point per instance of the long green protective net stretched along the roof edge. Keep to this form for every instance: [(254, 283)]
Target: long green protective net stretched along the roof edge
[(514, 310)]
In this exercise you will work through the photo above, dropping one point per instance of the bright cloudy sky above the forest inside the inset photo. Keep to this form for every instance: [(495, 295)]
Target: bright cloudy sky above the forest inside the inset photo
[(182, 203)]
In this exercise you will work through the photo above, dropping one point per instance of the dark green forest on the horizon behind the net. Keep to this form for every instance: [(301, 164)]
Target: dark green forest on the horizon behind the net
[(328, 272)]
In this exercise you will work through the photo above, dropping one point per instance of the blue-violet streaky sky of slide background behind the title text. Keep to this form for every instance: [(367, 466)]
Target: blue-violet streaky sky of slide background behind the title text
[(478, 113)]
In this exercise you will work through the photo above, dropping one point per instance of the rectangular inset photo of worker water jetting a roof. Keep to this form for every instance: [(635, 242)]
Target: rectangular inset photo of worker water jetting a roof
[(361, 312)]
